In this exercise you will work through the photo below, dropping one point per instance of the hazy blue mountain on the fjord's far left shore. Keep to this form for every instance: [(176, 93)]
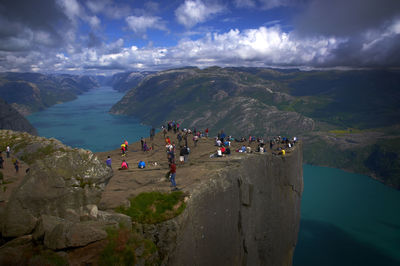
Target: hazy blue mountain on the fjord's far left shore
[(32, 92)]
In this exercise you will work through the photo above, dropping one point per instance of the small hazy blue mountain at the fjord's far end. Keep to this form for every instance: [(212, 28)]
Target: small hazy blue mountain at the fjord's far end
[(125, 81)]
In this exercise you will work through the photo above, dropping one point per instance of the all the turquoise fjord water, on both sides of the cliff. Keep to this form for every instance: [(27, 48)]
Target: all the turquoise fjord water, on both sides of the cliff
[(346, 219)]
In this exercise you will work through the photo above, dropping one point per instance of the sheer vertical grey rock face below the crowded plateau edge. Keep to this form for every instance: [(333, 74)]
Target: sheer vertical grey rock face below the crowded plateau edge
[(247, 214)]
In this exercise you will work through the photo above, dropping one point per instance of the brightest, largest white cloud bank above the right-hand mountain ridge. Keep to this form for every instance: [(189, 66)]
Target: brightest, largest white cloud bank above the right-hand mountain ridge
[(257, 47)]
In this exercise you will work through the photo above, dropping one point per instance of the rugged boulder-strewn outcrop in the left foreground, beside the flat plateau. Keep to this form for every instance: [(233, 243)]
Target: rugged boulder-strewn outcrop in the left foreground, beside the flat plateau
[(53, 202)]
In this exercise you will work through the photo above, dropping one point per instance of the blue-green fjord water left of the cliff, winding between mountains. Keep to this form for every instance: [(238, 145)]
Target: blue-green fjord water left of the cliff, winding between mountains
[(86, 123)]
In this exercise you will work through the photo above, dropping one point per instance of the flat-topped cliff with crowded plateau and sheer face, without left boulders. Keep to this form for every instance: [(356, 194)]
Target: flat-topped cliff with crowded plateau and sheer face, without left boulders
[(242, 209)]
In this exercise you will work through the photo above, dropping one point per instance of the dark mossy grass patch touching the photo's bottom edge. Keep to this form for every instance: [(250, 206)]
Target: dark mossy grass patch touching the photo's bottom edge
[(123, 249)]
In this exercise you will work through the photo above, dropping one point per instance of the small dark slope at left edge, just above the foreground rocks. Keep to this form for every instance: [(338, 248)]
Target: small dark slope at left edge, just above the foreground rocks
[(13, 120)]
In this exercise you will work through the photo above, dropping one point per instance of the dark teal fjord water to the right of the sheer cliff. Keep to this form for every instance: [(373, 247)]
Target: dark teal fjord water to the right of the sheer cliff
[(347, 219)]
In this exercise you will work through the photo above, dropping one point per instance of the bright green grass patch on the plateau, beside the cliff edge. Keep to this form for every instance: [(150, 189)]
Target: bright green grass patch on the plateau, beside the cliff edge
[(154, 207)]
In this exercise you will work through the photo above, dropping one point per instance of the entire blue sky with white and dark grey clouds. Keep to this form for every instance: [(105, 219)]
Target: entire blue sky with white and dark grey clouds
[(108, 36)]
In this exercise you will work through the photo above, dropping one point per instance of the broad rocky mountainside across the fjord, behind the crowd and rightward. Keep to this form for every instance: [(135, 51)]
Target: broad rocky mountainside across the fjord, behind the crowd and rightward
[(349, 119)]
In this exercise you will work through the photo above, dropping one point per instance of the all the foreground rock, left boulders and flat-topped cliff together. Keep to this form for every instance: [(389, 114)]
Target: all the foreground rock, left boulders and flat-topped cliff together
[(242, 209)]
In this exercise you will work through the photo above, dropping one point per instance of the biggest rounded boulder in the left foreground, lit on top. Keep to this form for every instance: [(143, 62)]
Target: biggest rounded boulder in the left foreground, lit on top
[(68, 184)]
